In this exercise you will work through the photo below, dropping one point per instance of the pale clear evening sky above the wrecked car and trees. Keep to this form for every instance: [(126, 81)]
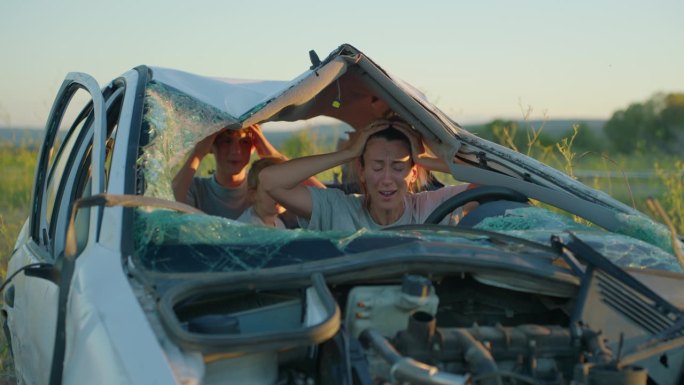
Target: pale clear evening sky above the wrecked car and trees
[(476, 60)]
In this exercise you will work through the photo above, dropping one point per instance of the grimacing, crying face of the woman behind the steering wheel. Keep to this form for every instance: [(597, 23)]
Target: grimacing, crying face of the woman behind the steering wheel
[(387, 173)]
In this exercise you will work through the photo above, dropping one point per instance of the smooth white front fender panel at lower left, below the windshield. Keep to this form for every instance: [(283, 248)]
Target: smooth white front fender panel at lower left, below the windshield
[(109, 339)]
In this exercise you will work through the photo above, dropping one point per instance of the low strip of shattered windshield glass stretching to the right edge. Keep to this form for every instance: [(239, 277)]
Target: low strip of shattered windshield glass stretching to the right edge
[(168, 241)]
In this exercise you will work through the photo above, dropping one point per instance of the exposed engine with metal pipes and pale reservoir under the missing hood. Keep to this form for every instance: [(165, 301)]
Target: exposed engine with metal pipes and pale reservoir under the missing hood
[(419, 341)]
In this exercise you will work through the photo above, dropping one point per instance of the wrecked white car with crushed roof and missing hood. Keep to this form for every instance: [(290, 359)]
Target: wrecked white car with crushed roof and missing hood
[(113, 282)]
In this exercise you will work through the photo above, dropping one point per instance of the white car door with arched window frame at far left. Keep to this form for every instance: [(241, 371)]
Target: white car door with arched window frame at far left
[(38, 291)]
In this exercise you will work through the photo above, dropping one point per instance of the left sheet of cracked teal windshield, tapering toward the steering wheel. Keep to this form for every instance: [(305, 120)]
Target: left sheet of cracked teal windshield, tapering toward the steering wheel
[(174, 242)]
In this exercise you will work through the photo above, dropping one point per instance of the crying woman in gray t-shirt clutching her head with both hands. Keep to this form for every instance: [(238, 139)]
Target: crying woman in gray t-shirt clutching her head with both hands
[(386, 157)]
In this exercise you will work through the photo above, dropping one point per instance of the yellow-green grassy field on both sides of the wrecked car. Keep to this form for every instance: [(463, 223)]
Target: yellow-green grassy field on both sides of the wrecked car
[(658, 176)]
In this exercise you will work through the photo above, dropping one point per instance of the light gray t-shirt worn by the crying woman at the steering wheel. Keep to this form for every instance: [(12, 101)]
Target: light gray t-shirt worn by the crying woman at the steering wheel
[(332, 209)]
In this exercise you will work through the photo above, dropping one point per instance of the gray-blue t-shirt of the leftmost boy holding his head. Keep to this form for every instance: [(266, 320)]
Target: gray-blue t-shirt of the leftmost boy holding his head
[(209, 196)]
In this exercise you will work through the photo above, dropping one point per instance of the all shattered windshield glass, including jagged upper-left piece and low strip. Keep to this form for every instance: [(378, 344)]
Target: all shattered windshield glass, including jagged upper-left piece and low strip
[(167, 241)]
